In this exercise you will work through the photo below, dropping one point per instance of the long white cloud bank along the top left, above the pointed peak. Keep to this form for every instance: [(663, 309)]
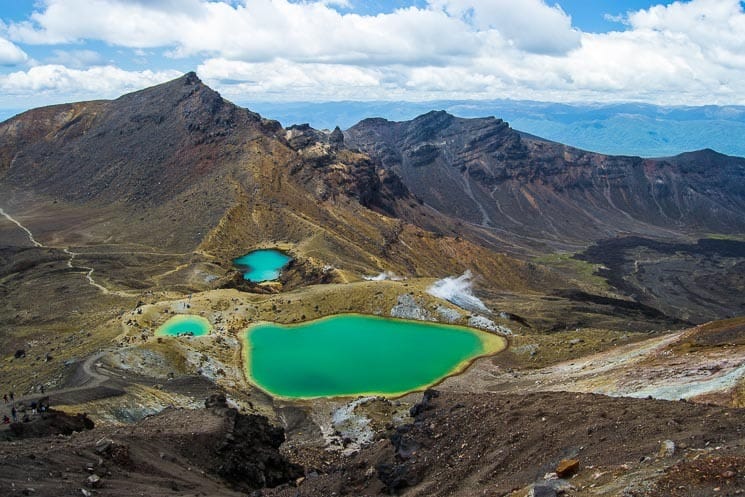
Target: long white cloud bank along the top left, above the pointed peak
[(256, 31)]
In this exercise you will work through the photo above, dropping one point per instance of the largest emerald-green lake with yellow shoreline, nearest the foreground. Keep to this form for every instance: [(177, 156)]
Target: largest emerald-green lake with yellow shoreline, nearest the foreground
[(352, 354)]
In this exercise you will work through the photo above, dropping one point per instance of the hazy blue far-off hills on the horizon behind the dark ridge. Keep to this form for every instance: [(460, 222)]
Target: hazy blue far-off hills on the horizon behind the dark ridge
[(616, 129)]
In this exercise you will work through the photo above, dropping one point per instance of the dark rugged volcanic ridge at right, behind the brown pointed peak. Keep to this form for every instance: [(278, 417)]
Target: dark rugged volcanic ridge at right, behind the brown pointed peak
[(517, 185)]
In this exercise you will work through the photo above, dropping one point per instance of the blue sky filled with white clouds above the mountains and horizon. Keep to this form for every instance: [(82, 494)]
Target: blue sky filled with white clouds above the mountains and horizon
[(667, 53)]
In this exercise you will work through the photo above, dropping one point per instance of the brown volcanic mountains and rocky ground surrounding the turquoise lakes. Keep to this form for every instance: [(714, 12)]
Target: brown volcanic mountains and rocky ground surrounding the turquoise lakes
[(615, 282)]
